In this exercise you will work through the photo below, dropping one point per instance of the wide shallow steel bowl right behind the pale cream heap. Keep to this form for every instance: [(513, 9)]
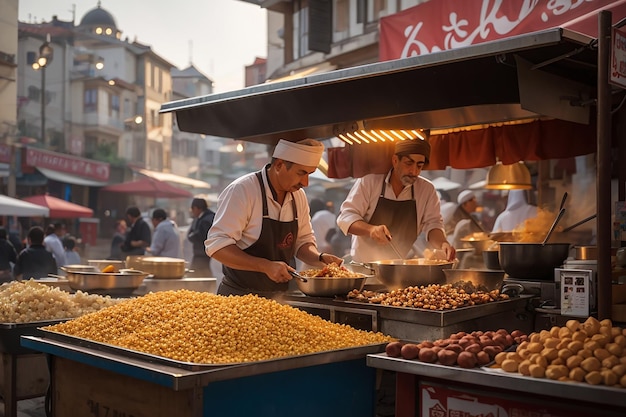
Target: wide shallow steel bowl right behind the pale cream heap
[(89, 281)]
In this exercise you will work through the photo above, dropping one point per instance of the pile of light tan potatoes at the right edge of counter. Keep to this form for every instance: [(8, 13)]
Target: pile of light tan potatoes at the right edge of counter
[(593, 352)]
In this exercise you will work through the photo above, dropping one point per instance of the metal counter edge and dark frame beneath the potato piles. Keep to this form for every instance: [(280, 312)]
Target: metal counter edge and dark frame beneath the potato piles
[(411, 371)]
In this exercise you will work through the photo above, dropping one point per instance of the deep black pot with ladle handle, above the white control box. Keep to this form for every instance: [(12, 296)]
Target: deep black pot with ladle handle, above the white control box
[(532, 261)]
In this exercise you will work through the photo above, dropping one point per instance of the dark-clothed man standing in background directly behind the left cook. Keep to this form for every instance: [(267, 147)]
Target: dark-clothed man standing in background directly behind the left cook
[(197, 234)]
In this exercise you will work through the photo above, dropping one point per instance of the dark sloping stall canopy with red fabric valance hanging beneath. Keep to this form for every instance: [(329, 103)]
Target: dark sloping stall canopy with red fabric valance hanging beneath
[(545, 81)]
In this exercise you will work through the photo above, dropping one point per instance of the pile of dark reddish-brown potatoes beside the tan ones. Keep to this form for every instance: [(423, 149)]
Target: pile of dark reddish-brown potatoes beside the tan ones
[(466, 350)]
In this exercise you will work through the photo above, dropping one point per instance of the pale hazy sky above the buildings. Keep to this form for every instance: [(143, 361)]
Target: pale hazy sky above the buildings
[(220, 37)]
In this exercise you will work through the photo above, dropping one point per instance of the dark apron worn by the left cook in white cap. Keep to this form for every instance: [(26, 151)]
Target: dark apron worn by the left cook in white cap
[(276, 243)]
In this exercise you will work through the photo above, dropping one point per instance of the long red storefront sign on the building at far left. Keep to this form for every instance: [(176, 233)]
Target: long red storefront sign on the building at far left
[(68, 164)]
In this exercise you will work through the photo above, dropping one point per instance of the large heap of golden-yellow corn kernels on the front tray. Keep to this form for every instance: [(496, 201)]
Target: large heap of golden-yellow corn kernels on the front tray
[(205, 328)]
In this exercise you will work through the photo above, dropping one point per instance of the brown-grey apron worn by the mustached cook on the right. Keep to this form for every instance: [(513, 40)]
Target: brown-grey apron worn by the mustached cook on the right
[(400, 217)]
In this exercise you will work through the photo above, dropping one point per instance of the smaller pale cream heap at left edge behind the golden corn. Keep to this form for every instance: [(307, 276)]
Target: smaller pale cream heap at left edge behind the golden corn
[(30, 301)]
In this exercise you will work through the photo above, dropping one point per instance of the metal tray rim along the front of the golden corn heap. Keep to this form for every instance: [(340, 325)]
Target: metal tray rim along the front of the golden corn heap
[(321, 357)]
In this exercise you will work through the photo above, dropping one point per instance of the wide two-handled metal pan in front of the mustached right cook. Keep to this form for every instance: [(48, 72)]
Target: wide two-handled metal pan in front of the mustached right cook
[(402, 273)]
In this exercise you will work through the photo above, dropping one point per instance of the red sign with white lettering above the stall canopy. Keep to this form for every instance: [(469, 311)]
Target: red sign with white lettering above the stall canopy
[(439, 25)]
